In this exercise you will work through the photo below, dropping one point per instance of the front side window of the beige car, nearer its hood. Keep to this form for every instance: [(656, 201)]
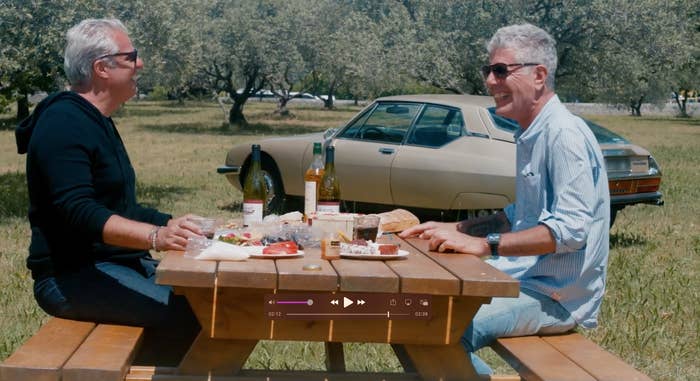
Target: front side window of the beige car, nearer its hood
[(388, 122)]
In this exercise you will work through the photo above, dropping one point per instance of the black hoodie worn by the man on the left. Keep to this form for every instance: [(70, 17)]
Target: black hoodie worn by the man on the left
[(78, 175)]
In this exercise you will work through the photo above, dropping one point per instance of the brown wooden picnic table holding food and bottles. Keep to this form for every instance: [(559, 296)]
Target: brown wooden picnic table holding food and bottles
[(228, 299)]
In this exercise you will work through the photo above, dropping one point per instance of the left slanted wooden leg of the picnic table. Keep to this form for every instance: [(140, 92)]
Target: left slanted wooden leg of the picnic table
[(218, 356)]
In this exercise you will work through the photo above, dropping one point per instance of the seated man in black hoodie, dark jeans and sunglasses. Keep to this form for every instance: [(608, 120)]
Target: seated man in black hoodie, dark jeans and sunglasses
[(89, 252)]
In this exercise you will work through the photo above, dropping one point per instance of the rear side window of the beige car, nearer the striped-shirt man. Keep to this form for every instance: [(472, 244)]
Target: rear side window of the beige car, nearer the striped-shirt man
[(437, 126)]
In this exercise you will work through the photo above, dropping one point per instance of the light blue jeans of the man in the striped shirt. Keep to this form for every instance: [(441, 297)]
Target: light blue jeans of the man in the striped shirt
[(529, 314)]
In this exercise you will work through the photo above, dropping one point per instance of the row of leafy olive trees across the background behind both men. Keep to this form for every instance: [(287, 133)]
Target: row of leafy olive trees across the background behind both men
[(620, 51)]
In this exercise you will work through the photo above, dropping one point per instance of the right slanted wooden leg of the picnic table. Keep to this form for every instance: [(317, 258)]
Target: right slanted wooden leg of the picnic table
[(442, 362)]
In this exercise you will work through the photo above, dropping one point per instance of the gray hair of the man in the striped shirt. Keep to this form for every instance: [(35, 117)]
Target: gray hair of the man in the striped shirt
[(531, 44)]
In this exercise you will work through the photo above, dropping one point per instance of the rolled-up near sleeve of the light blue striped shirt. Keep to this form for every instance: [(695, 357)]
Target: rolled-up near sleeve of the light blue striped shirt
[(573, 192)]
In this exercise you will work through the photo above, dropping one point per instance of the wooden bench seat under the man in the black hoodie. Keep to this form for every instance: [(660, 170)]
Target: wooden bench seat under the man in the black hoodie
[(68, 350)]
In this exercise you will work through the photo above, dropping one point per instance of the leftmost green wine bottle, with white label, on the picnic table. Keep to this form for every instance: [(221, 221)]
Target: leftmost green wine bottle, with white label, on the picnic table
[(254, 190)]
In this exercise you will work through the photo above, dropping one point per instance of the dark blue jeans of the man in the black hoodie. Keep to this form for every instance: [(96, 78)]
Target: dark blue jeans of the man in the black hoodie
[(125, 294)]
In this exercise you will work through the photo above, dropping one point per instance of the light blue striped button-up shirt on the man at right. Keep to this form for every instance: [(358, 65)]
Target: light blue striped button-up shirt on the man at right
[(561, 183)]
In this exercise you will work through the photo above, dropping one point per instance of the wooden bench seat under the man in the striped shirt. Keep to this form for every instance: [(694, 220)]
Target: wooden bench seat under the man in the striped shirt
[(563, 357)]
